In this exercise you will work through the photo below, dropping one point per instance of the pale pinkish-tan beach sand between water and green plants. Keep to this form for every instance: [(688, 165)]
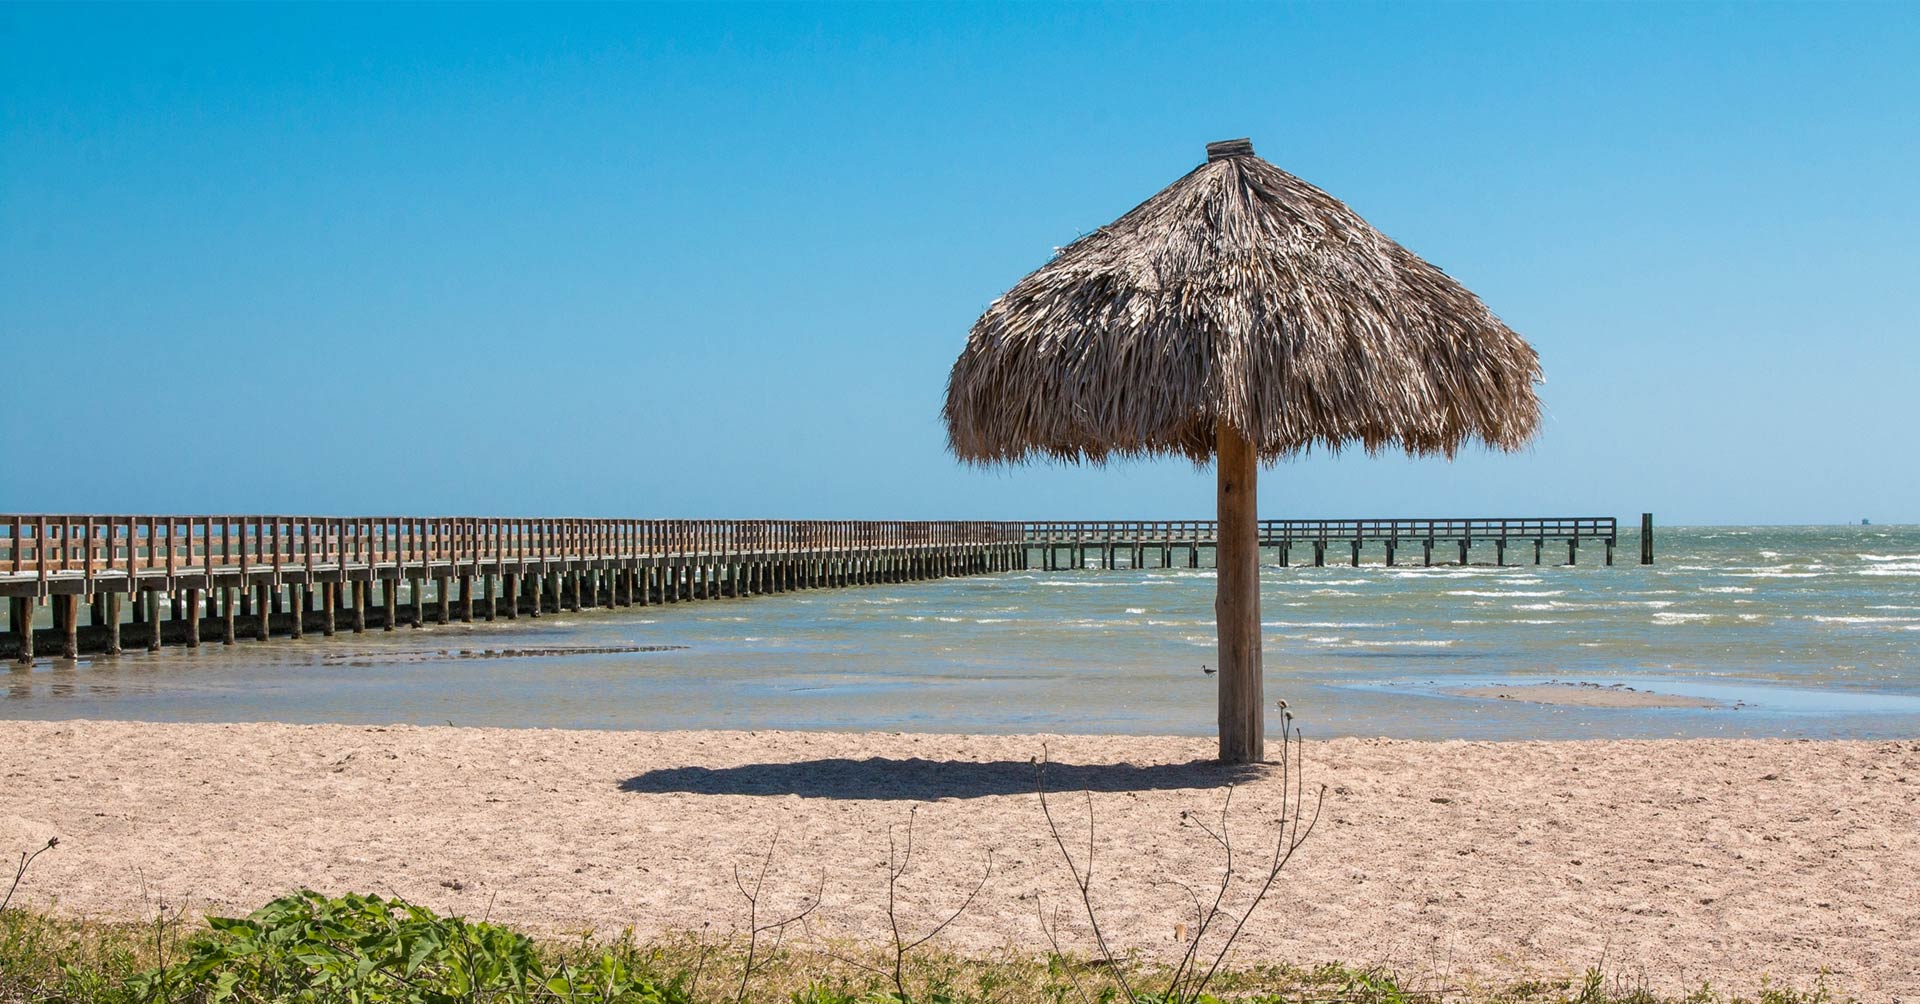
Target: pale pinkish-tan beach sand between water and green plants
[(1669, 861)]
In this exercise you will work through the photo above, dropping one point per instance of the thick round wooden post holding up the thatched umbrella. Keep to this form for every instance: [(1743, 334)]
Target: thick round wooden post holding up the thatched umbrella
[(1237, 602)]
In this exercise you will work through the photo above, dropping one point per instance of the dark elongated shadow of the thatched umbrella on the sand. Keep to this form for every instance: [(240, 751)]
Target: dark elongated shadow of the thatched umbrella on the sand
[(928, 780)]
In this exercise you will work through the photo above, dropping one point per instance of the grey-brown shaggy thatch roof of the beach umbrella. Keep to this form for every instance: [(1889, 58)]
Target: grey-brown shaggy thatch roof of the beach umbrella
[(1237, 295)]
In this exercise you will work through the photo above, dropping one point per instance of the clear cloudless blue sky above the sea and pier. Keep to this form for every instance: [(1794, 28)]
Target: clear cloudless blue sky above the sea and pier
[(717, 262)]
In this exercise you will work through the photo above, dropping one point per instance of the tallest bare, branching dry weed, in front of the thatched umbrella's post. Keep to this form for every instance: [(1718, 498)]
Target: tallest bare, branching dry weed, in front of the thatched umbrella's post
[(1195, 970)]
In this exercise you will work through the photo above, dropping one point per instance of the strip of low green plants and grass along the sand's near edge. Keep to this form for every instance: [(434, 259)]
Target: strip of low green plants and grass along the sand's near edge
[(373, 951)]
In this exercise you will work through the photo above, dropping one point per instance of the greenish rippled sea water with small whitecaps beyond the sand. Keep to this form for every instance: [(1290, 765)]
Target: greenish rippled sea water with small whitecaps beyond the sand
[(1800, 633)]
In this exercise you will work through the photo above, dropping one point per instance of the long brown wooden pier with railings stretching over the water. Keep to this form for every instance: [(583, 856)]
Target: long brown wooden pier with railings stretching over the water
[(183, 581)]
